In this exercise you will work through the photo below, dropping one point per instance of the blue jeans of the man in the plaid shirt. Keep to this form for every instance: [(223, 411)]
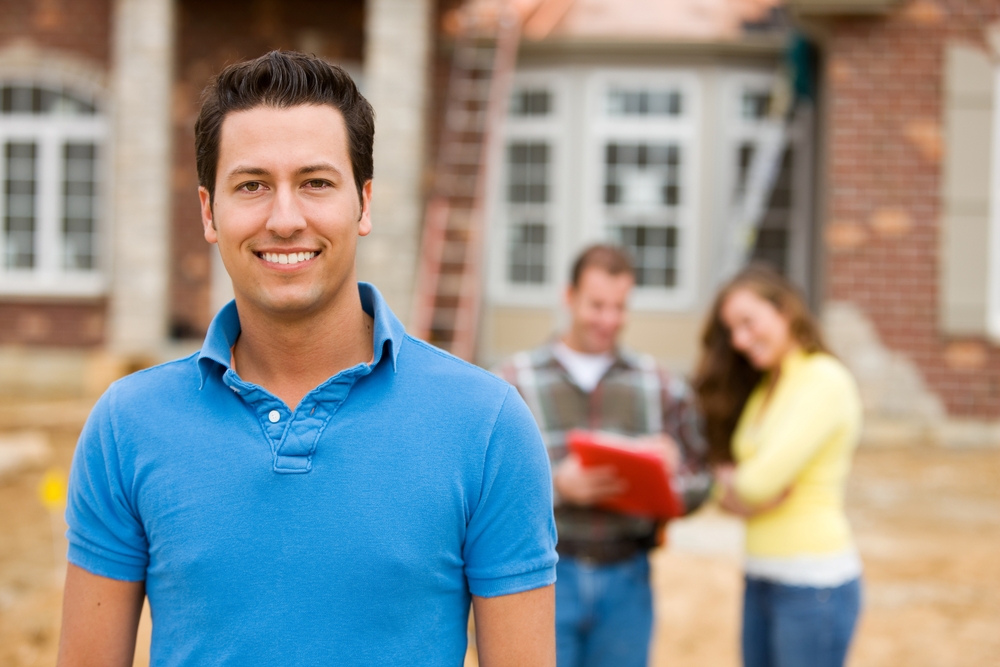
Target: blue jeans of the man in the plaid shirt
[(604, 613)]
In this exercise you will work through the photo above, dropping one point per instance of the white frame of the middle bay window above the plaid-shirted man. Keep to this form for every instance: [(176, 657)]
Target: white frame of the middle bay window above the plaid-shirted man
[(683, 130)]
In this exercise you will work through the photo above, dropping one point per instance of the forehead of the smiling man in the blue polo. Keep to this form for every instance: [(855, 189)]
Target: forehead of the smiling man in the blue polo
[(275, 138)]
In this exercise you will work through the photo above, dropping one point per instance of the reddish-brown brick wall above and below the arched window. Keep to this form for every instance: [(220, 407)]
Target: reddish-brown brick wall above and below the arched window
[(79, 29)]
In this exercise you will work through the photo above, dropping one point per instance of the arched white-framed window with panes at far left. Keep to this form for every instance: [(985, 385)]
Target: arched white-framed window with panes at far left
[(51, 153)]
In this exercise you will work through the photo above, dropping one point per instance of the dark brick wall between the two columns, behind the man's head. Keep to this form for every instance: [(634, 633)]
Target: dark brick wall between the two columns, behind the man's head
[(211, 35)]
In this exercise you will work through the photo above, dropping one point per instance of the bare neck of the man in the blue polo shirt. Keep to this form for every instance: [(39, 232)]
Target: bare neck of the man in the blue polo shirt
[(291, 355)]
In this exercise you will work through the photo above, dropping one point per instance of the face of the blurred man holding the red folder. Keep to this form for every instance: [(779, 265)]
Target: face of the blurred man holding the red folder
[(598, 306)]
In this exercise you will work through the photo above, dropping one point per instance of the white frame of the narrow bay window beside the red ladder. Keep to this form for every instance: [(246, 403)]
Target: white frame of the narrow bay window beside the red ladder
[(551, 129)]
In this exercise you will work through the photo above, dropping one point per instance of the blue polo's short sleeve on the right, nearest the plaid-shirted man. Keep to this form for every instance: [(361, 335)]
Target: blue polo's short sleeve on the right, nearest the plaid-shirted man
[(511, 536)]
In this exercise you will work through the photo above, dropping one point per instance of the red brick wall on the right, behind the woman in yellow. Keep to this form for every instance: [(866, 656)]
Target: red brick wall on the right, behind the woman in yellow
[(885, 81)]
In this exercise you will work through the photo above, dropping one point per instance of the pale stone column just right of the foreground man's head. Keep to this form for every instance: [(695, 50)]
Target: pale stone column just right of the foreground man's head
[(397, 46)]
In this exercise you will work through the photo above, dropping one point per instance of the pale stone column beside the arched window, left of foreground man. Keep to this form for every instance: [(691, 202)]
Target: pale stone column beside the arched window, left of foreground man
[(142, 79)]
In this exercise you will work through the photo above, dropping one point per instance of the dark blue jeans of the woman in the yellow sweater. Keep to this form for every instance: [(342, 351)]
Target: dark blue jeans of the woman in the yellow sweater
[(798, 626)]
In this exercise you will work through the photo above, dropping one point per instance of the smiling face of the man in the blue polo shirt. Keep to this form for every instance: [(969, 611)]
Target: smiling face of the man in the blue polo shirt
[(286, 212)]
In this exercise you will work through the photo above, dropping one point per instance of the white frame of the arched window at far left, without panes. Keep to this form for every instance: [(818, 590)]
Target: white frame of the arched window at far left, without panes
[(50, 133)]
